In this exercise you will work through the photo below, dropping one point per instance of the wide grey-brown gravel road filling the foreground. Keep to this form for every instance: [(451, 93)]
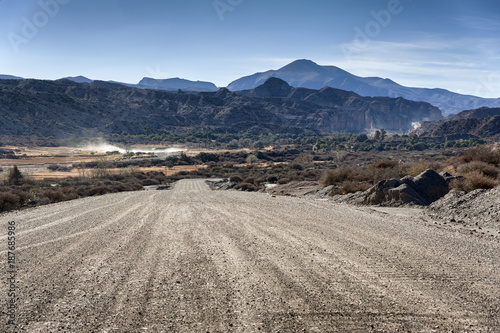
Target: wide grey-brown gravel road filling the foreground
[(195, 260)]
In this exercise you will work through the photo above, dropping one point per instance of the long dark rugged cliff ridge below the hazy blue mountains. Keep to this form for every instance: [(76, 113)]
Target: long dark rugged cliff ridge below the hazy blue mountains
[(65, 108)]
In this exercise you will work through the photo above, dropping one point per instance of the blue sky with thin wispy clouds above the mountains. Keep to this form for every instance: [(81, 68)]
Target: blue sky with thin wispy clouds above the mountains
[(425, 43)]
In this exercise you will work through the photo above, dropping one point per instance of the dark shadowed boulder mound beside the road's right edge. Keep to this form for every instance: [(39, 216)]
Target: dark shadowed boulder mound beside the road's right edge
[(422, 190)]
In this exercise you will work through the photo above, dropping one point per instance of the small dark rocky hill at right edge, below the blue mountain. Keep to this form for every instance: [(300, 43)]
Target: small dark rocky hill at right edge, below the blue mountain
[(481, 123)]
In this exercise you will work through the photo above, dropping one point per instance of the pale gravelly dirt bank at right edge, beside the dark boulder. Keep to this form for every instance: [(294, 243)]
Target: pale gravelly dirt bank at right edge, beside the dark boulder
[(477, 209)]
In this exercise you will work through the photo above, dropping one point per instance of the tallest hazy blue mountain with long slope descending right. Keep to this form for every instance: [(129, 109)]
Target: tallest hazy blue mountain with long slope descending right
[(307, 74)]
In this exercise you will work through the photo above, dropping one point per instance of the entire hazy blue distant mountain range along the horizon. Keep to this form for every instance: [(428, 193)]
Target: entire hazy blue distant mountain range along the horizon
[(307, 74)]
